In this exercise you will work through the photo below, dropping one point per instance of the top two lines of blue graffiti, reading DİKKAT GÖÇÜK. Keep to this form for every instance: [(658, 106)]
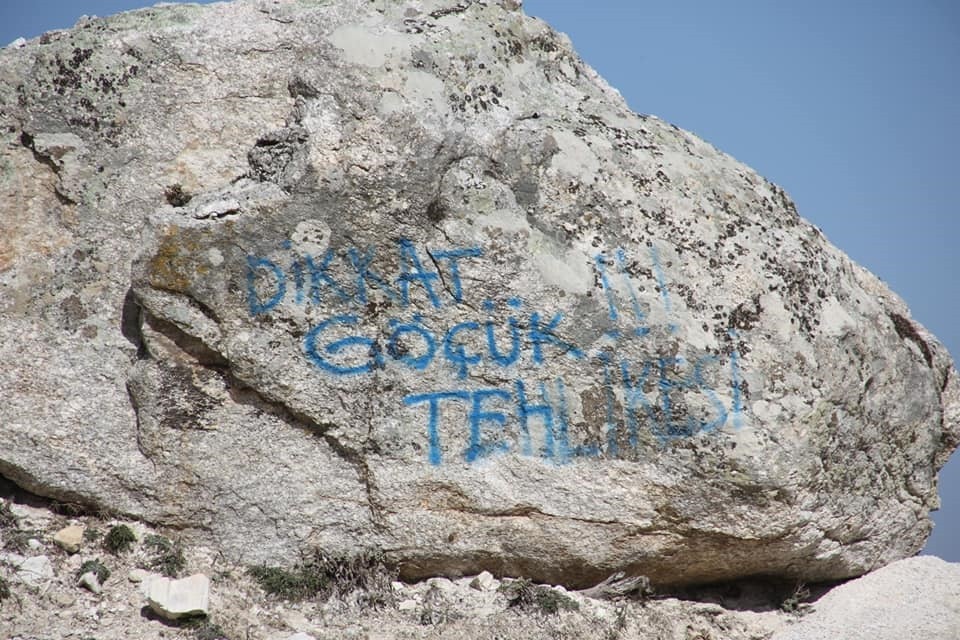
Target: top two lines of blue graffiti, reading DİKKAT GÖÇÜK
[(409, 341)]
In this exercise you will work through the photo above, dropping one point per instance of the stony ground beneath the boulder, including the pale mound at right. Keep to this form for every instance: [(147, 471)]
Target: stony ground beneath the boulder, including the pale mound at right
[(50, 556)]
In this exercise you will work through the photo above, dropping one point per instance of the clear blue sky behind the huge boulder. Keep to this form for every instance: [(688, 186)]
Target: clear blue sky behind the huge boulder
[(852, 107)]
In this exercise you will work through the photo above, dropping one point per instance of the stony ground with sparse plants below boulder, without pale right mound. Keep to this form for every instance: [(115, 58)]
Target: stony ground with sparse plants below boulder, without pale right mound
[(41, 597)]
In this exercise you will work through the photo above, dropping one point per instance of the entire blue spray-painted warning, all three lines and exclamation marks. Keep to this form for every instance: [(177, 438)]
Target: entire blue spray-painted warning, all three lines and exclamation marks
[(529, 411)]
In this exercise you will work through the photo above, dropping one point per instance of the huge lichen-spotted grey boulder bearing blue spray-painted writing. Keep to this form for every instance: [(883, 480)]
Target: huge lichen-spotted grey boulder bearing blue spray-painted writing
[(411, 276)]
